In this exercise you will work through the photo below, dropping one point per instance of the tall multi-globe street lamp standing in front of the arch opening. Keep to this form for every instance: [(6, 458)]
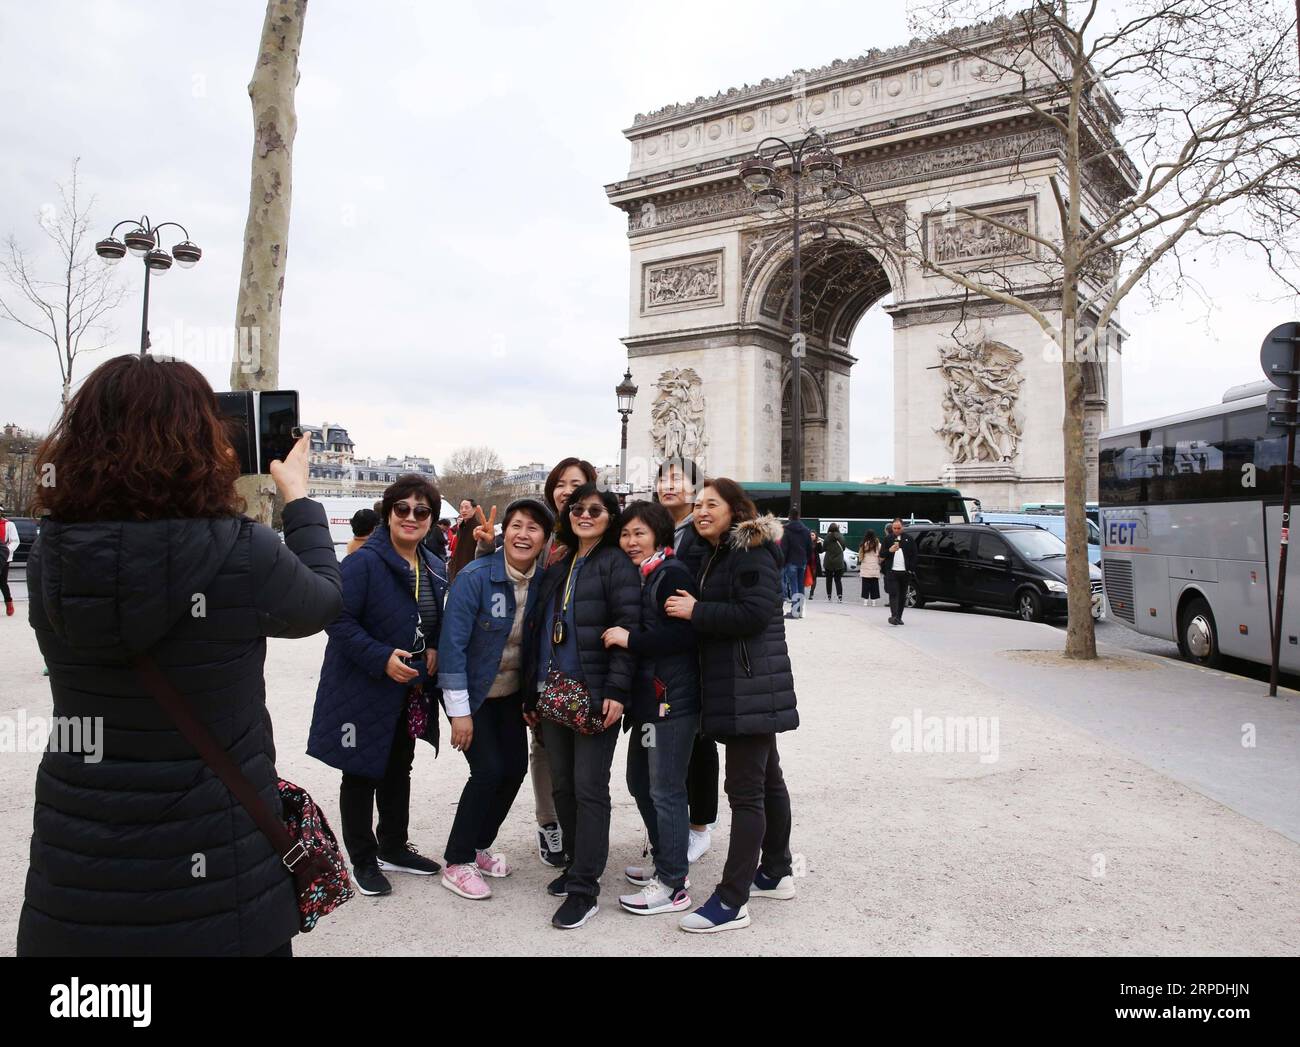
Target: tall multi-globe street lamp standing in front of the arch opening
[(811, 157)]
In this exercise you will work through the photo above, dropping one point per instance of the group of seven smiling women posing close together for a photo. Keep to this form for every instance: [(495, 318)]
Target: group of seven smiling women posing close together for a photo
[(665, 616)]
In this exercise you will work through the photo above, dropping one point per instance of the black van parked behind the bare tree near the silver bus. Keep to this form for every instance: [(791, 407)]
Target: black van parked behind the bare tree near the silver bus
[(1012, 568)]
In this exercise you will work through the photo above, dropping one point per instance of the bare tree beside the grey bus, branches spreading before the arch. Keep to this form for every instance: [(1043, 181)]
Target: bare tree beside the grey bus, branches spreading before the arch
[(1173, 127)]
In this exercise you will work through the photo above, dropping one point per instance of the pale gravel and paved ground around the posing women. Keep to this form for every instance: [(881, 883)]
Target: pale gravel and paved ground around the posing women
[(1064, 845)]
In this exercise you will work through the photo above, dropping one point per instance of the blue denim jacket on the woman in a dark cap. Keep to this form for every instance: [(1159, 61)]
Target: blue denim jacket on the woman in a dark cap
[(476, 626)]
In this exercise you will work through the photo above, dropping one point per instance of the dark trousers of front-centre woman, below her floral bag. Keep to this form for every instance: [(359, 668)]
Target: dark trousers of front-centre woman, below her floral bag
[(580, 780)]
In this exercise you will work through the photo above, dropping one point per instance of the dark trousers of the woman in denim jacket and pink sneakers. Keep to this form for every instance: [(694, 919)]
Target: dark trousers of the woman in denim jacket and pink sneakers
[(499, 762)]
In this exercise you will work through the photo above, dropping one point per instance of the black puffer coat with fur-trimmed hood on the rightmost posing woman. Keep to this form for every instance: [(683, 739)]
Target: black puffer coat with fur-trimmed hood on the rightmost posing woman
[(747, 682)]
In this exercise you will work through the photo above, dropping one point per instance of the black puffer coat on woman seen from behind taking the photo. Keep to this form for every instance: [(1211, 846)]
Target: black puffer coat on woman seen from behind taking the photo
[(146, 853)]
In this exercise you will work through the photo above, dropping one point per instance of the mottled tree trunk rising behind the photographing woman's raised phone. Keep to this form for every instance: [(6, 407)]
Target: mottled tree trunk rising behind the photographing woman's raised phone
[(262, 280)]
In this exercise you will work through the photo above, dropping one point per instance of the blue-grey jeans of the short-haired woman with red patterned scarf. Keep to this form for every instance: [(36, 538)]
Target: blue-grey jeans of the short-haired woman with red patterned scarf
[(658, 755)]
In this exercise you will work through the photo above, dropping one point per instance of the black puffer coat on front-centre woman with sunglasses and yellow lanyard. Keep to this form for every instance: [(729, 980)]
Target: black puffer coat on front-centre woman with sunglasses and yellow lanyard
[(608, 592)]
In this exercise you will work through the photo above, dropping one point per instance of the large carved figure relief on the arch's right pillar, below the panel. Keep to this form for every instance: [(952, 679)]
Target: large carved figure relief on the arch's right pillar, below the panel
[(982, 388)]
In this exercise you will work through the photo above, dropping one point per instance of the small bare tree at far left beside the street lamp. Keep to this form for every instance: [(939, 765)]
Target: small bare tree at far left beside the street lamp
[(71, 309)]
